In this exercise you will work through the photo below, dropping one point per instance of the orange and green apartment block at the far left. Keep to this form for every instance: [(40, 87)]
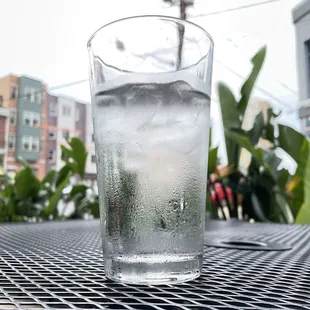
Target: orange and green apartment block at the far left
[(24, 101)]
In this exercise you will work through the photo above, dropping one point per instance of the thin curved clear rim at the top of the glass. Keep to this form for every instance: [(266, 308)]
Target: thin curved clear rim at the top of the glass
[(152, 17)]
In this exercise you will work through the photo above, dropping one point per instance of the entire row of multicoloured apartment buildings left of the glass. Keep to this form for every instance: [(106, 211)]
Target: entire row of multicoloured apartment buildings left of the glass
[(34, 125)]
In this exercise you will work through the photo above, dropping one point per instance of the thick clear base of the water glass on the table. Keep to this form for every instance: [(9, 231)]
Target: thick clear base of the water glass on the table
[(153, 269)]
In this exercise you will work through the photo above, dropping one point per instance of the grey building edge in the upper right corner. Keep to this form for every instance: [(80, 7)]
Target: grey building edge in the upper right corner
[(301, 19)]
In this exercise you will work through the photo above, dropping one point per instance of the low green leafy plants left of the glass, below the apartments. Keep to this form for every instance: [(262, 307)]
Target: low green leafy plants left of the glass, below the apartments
[(24, 197)]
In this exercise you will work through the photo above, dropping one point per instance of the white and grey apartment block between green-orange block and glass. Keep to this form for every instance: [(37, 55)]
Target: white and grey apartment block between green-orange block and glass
[(68, 118)]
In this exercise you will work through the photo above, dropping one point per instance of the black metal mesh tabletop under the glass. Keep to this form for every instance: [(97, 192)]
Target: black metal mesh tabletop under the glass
[(60, 266)]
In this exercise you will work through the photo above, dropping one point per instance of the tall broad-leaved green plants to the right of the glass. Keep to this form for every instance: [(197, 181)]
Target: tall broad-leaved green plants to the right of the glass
[(268, 192)]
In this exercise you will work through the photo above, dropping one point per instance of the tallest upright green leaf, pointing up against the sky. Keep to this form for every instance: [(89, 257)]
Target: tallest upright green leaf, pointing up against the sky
[(247, 87)]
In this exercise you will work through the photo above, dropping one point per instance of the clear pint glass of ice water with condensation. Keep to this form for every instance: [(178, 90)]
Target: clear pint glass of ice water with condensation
[(150, 81)]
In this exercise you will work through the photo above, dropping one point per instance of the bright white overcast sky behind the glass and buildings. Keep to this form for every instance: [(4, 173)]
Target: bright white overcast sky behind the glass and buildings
[(47, 39)]
